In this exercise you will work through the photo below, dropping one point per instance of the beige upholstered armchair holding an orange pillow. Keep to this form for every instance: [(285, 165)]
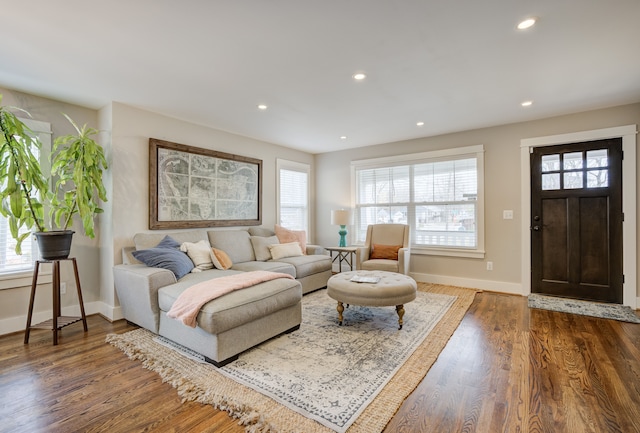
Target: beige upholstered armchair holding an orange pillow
[(387, 248)]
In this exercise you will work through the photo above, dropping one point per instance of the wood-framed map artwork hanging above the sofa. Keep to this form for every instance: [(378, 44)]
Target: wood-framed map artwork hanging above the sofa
[(194, 187)]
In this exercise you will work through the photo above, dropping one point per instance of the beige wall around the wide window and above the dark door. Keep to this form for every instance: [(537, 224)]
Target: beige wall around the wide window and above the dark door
[(502, 192)]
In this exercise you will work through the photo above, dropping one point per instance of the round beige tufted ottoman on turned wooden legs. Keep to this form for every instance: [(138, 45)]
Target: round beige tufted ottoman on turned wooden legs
[(391, 289)]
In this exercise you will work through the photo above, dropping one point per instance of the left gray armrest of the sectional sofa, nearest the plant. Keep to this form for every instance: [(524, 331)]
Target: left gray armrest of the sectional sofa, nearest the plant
[(137, 288)]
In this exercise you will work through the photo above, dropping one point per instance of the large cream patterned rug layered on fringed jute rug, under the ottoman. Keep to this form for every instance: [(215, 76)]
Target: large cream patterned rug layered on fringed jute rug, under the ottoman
[(323, 377)]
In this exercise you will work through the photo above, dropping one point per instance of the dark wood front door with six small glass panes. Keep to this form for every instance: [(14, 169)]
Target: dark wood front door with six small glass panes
[(576, 220)]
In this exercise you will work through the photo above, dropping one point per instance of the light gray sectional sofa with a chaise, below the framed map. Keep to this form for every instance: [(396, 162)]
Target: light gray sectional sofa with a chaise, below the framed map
[(236, 321)]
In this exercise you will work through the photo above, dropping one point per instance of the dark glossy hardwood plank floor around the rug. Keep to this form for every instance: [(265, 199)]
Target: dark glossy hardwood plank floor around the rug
[(506, 369)]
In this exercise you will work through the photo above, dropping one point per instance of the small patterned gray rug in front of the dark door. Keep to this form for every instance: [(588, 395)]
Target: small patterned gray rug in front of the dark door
[(584, 308)]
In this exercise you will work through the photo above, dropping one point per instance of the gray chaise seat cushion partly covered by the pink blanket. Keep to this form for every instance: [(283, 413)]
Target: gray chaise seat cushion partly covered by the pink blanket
[(239, 307)]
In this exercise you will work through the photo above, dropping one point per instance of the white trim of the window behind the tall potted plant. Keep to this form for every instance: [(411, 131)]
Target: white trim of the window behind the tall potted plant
[(12, 280)]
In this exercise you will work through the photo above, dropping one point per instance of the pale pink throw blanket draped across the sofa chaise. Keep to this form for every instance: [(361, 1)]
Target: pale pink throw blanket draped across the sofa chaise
[(188, 304)]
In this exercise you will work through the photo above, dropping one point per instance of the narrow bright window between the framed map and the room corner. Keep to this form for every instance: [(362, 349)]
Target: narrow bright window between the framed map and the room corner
[(293, 194)]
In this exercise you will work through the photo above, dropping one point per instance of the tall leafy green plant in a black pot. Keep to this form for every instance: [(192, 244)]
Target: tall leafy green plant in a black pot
[(77, 163)]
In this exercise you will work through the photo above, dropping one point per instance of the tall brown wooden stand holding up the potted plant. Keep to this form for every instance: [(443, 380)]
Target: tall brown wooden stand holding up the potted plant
[(58, 321)]
